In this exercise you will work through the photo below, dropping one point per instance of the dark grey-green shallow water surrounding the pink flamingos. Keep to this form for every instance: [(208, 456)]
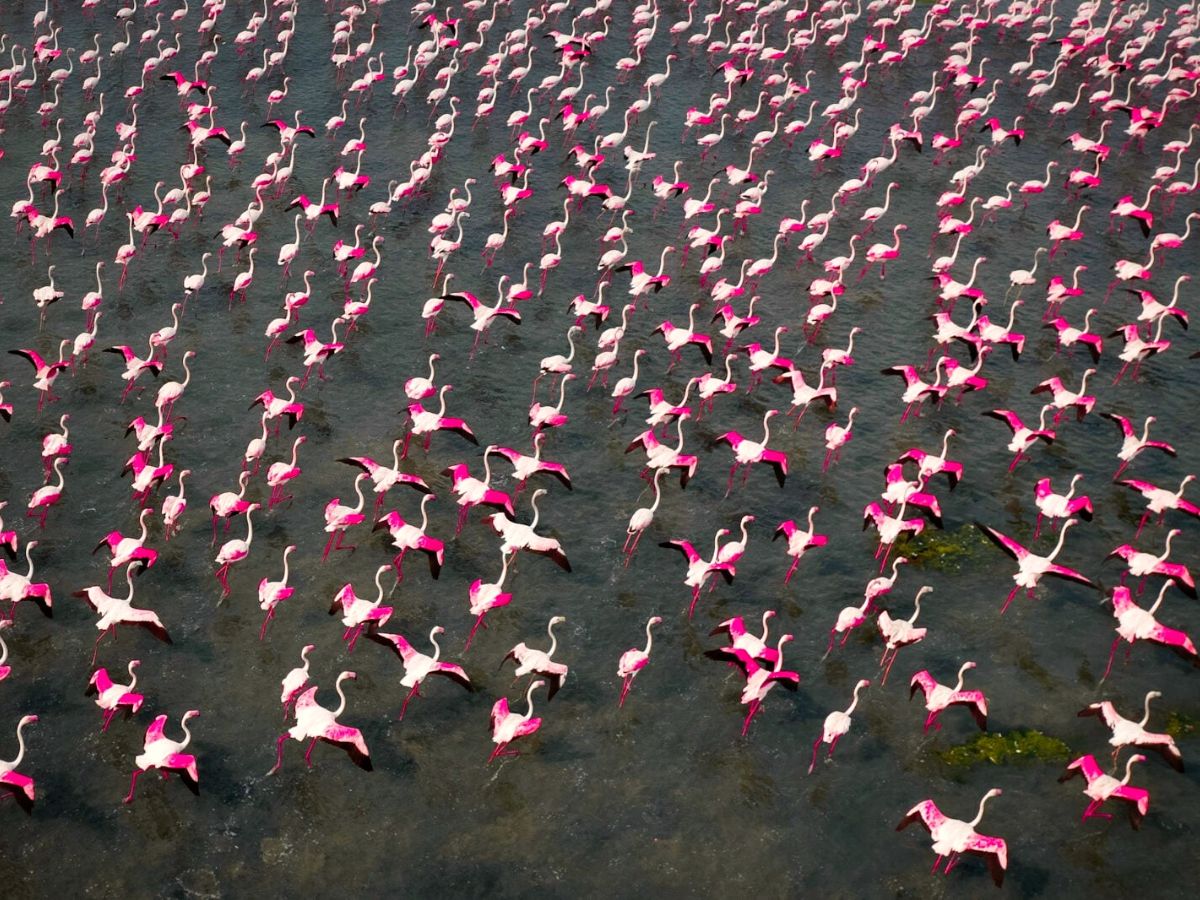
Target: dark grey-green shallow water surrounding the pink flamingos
[(663, 795)]
